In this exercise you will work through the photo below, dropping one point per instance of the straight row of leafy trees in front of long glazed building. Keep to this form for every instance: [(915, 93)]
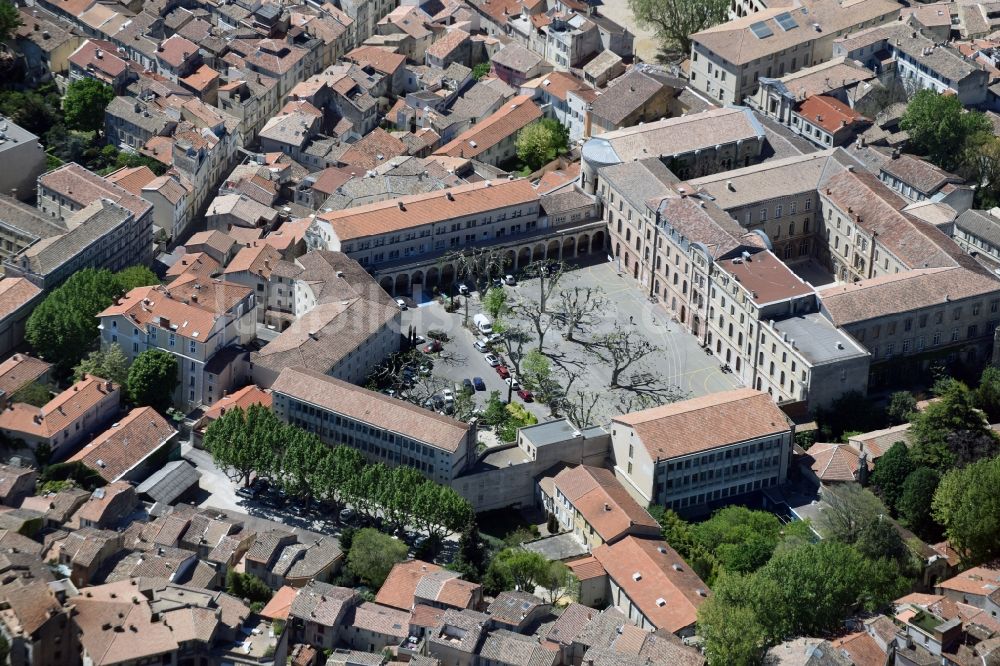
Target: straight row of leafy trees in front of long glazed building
[(254, 443)]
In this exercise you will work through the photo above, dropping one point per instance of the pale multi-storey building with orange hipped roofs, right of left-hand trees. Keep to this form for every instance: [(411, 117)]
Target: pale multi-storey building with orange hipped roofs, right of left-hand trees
[(197, 321)]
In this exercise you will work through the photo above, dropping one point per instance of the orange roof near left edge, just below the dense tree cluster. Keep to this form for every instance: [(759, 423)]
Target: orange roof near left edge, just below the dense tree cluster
[(59, 413)]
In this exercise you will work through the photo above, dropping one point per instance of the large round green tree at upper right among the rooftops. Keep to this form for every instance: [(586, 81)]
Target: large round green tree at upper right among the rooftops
[(940, 127)]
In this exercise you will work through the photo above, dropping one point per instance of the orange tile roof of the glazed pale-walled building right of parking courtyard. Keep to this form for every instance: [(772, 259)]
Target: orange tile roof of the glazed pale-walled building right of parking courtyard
[(706, 422)]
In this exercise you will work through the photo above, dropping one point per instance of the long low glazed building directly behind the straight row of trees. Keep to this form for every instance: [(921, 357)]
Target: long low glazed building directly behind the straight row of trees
[(385, 429)]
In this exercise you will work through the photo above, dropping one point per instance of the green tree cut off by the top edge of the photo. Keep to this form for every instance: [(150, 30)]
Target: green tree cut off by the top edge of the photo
[(674, 21)]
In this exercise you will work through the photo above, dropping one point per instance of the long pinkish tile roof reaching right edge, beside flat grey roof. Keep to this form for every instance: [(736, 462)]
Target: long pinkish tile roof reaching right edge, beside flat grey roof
[(903, 292)]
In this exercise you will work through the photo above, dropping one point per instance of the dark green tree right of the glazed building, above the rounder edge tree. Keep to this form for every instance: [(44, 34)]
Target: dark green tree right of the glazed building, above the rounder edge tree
[(942, 432)]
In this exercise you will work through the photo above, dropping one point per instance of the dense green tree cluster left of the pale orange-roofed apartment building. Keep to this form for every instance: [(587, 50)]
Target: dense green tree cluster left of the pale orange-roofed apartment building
[(63, 328)]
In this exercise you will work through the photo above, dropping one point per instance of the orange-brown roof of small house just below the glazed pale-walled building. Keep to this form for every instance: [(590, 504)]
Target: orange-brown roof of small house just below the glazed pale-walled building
[(603, 502)]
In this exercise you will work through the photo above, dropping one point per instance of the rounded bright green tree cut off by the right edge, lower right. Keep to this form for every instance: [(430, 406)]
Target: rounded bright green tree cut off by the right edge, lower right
[(967, 504)]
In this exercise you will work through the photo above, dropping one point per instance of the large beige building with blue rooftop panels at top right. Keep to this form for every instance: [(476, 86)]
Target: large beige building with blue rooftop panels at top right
[(728, 59)]
